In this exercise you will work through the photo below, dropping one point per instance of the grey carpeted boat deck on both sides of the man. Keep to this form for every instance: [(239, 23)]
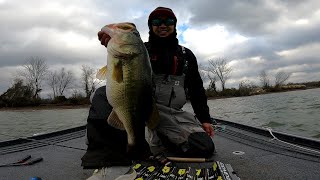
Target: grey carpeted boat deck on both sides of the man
[(251, 155)]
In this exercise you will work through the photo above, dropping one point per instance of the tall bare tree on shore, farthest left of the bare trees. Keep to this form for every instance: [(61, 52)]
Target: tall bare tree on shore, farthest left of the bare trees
[(34, 72)]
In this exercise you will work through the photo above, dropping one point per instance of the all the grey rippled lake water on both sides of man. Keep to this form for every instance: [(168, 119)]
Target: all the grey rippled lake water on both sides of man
[(295, 112)]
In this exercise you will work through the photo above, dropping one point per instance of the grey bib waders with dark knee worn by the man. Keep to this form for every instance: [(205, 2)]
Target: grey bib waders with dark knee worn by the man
[(179, 131)]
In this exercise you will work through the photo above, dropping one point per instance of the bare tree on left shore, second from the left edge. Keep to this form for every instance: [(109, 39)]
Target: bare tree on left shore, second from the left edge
[(59, 81)]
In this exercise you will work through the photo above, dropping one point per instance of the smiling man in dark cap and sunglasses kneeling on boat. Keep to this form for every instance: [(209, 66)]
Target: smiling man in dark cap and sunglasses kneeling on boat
[(176, 77)]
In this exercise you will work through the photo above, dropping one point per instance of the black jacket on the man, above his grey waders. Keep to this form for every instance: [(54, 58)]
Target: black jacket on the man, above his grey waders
[(167, 57)]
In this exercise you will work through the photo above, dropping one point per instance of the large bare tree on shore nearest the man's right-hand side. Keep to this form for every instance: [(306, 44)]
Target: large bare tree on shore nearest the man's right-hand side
[(221, 69)]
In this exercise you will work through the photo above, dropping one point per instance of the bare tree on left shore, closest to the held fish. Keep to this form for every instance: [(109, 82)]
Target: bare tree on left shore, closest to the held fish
[(89, 80)]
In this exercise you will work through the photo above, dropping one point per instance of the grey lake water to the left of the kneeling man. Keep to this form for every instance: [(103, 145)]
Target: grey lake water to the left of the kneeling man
[(26, 123)]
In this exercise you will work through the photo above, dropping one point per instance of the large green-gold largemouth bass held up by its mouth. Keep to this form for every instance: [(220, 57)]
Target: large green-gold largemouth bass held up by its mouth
[(128, 77)]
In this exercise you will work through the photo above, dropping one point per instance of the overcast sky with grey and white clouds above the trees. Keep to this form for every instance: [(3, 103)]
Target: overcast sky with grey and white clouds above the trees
[(253, 35)]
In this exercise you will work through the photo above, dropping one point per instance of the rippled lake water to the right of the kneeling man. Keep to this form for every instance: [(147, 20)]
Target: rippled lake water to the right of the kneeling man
[(294, 112)]
